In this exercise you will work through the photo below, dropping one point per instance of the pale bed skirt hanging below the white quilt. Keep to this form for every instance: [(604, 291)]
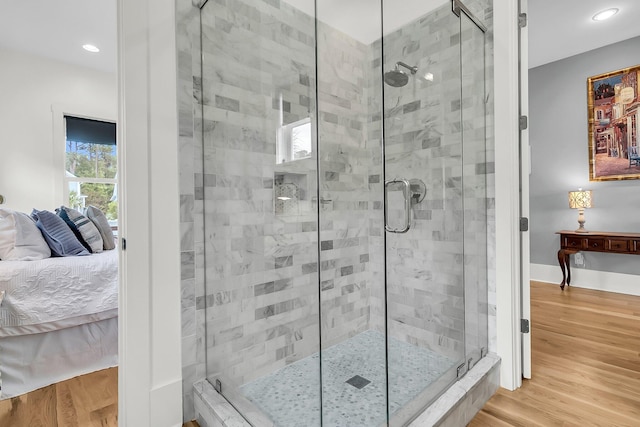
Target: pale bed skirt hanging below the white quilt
[(29, 362)]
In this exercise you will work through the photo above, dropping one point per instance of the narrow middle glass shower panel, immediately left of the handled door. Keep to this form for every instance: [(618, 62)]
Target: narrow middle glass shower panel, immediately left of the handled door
[(351, 182)]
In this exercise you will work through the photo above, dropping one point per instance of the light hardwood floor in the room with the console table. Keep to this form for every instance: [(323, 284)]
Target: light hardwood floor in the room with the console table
[(585, 363)]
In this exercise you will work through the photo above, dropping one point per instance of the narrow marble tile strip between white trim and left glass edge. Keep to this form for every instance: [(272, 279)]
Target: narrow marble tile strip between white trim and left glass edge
[(190, 184)]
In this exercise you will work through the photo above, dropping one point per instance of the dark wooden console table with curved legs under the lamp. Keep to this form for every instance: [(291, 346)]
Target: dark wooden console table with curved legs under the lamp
[(593, 241)]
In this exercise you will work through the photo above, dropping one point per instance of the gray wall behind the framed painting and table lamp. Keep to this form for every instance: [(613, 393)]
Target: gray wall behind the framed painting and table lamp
[(560, 158)]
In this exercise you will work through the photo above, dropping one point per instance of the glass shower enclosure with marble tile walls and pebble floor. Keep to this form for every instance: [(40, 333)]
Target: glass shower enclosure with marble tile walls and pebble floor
[(345, 200)]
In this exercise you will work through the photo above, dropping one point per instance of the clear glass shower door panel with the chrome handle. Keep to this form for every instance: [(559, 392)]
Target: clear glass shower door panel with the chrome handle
[(424, 200)]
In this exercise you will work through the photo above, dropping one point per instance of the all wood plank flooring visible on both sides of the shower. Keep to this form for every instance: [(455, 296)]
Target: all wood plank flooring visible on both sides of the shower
[(585, 360)]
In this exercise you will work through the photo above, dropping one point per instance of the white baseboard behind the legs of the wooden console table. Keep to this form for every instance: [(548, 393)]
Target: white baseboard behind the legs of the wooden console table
[(589, 279)]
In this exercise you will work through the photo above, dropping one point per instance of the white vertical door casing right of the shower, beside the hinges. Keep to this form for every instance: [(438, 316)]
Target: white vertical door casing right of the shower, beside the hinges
[(507, 195)]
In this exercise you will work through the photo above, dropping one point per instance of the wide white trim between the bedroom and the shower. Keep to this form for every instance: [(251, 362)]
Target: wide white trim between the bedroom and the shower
[(150, 374)]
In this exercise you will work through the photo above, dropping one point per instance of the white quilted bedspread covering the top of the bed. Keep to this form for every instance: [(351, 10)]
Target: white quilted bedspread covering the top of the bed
[(57, 293)]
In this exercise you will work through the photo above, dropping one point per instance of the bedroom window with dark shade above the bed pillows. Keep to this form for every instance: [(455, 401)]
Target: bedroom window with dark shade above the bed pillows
[(91, 165)]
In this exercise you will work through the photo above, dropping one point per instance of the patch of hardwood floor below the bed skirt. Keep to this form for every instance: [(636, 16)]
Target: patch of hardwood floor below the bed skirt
[(85, 401)]
